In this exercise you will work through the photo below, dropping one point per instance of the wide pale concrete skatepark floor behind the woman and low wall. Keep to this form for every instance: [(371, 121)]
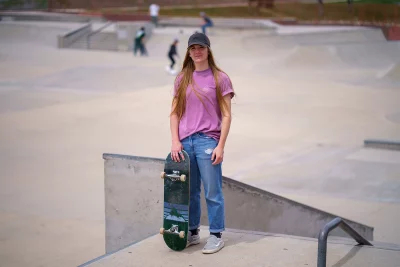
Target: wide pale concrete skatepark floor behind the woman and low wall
[(305, 104)]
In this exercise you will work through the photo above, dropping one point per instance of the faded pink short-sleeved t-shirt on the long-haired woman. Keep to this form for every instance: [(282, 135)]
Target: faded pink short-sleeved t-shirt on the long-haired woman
[(203, 117)]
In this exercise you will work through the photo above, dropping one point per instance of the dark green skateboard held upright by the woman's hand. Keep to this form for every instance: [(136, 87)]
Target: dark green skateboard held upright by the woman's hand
[(176, 177)]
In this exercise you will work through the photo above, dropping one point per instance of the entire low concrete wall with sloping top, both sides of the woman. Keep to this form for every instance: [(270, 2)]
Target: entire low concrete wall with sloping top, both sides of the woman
[(134, 205)]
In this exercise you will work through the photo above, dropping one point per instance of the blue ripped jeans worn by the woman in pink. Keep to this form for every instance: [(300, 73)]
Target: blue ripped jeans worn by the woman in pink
[(200, 147)]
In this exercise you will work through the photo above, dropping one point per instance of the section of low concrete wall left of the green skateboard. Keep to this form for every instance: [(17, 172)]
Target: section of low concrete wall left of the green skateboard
[(133, 199)]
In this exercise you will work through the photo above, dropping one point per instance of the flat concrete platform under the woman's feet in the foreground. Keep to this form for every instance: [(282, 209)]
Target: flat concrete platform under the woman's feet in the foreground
[(253, 249)]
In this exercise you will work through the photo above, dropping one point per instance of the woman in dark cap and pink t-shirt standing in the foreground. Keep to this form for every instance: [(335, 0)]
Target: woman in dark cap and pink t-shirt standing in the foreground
[(200, 121)]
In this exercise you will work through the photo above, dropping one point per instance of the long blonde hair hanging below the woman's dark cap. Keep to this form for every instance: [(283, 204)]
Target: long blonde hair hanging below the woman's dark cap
[(186, 78)]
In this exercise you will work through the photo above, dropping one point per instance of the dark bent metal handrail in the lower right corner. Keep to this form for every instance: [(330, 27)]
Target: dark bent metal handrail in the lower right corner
[(323, 238)]
